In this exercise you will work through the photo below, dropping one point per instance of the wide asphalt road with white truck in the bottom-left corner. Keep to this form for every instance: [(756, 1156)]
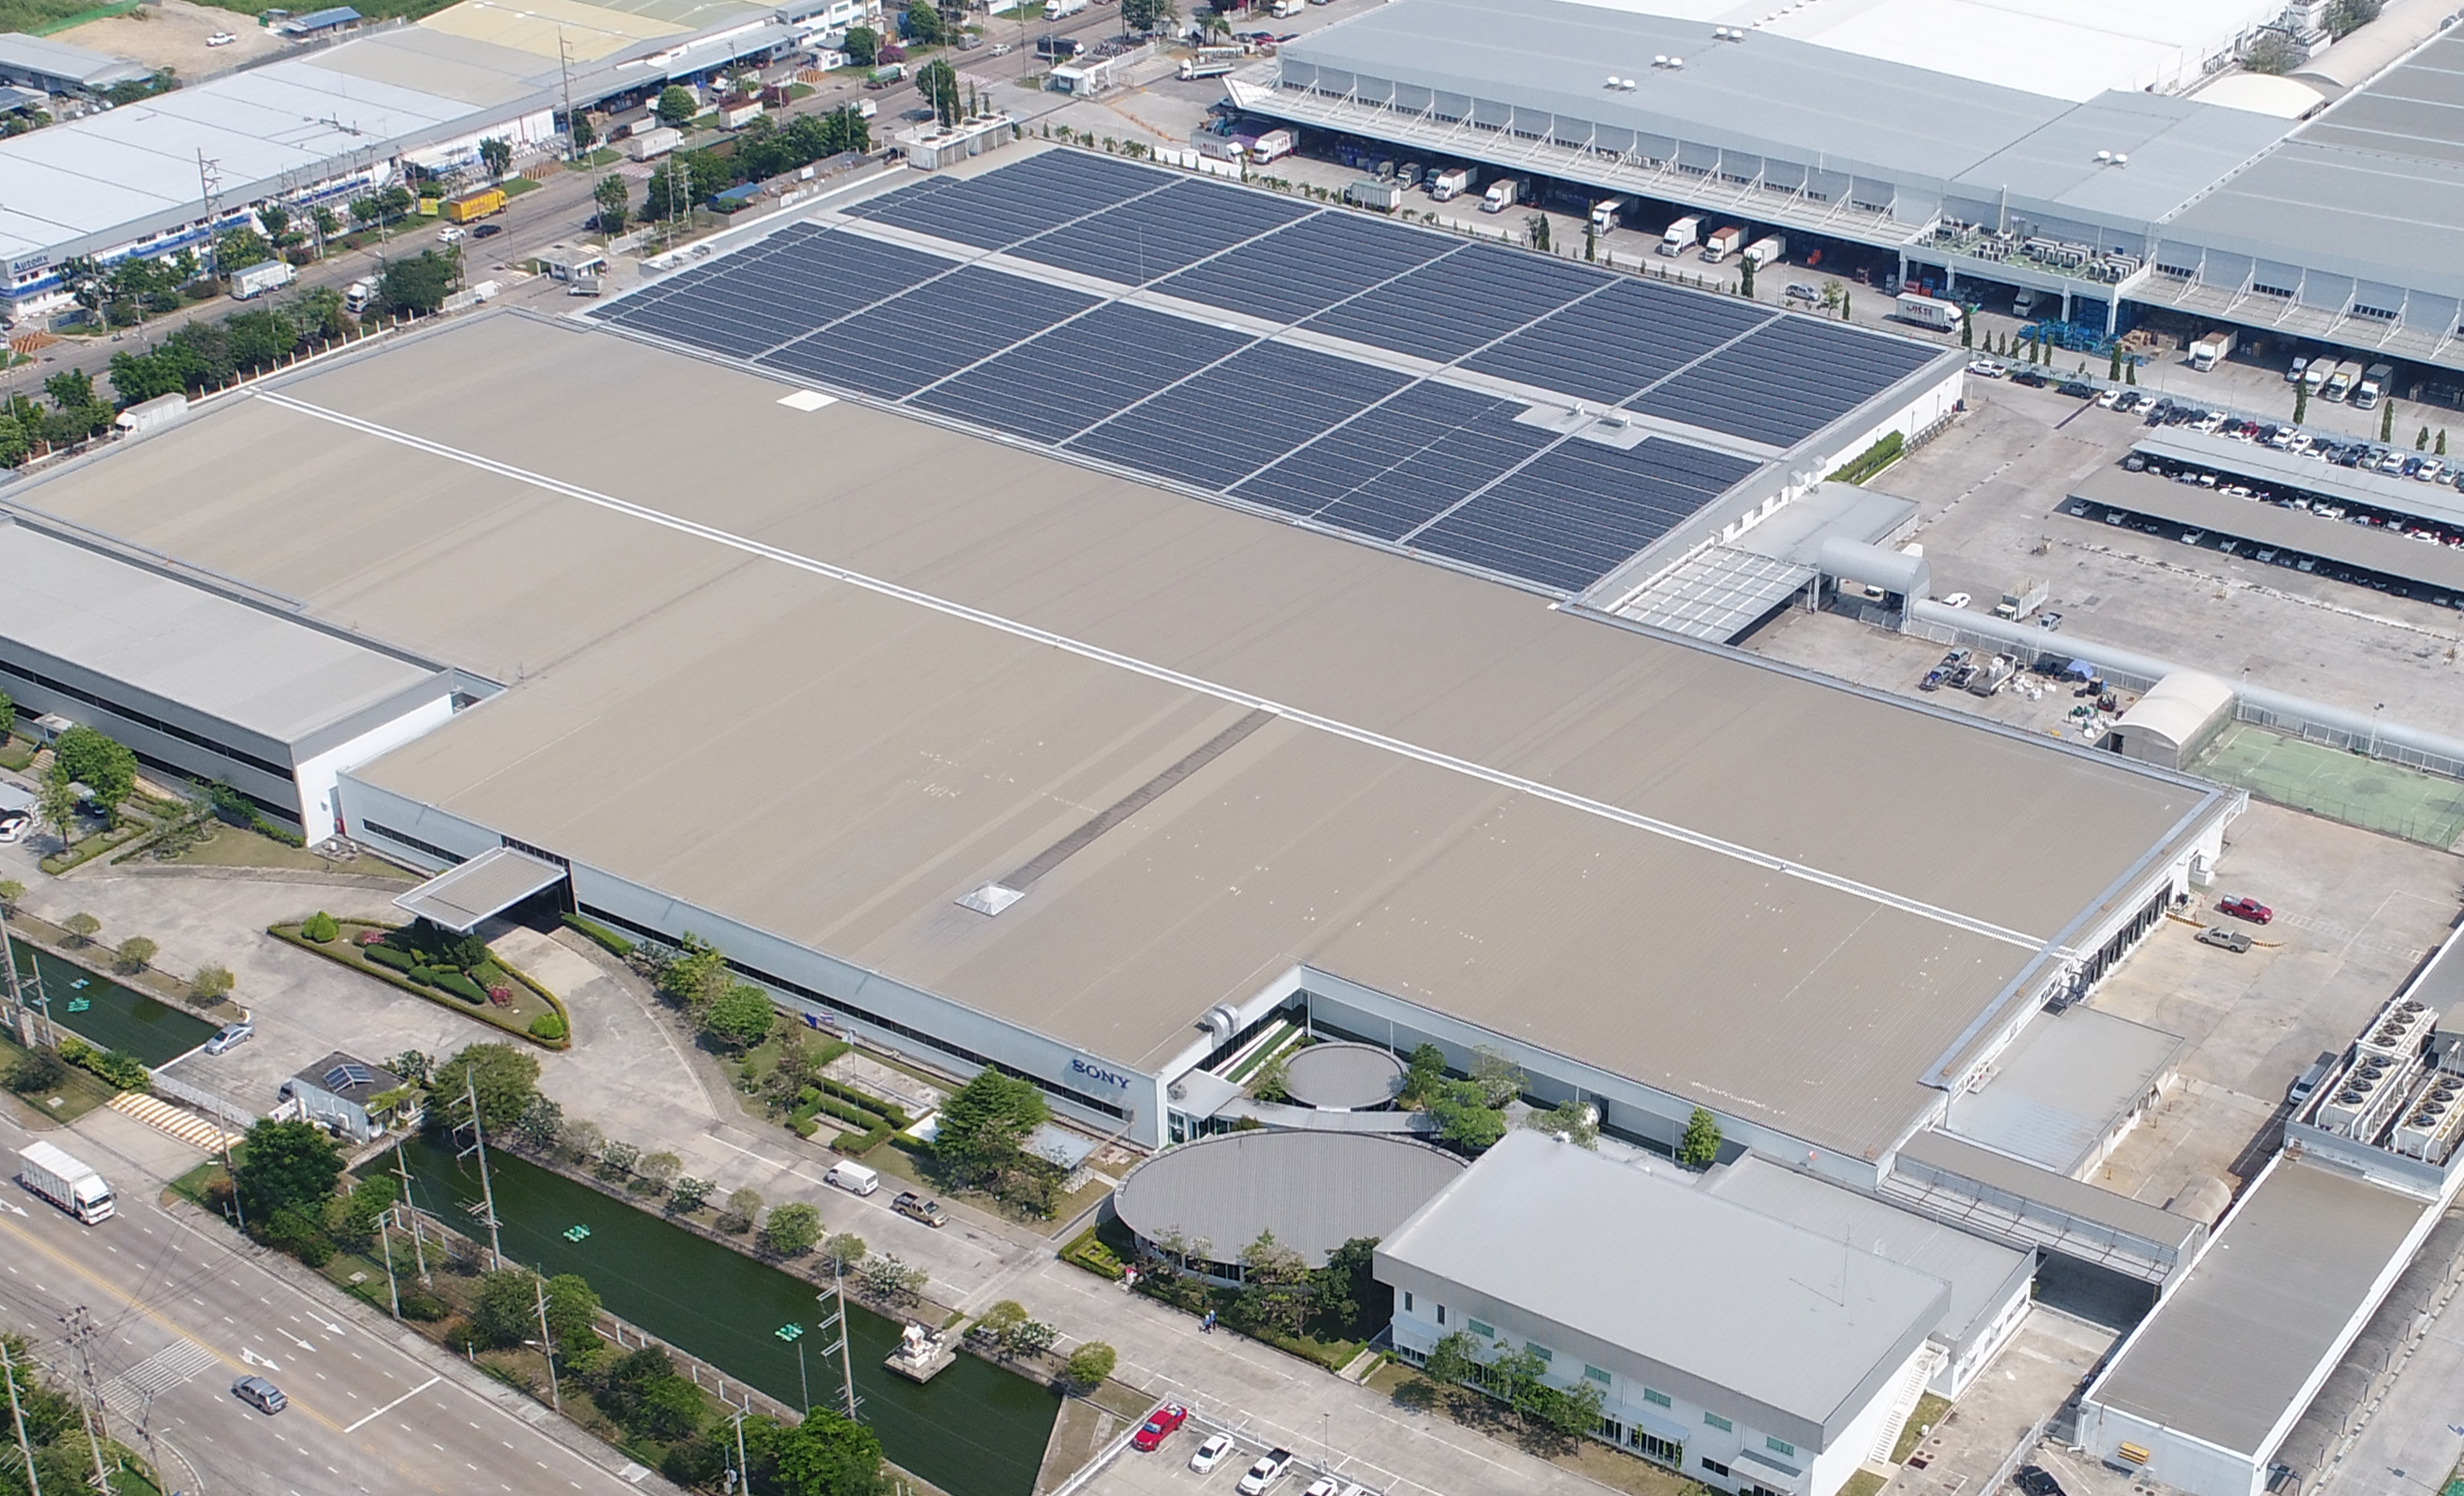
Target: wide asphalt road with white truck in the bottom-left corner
[(184, 1310)]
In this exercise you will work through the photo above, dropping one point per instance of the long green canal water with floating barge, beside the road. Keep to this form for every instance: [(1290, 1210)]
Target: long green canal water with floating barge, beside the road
[(975, 1431)]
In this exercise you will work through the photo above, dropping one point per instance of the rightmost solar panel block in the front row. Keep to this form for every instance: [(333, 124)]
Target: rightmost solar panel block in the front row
[(1578, 511)]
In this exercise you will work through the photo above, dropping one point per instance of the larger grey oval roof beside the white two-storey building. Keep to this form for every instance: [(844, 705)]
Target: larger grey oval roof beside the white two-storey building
[(1312, 1189)]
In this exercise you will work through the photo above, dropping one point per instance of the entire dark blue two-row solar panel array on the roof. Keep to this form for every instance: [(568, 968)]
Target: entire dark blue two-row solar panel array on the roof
[(1236, 403)]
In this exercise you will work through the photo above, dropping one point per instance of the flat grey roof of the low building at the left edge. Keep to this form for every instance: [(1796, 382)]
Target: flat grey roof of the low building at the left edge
[(186, 644)]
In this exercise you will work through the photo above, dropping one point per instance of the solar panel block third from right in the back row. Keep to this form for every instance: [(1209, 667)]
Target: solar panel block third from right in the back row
[(1460, 302)]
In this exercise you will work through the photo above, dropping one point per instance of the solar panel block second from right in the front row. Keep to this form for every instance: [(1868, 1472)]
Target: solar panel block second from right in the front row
[(1401, 465)]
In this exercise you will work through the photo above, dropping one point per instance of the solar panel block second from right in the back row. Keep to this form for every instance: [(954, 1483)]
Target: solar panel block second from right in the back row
[(1620, 341)]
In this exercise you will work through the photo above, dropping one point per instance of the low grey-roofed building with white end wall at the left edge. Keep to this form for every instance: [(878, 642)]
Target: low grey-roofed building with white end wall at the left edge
[(201, 681)]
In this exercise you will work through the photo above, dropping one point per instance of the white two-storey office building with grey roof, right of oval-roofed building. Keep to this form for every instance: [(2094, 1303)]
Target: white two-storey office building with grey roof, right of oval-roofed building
[(1731, 1344)]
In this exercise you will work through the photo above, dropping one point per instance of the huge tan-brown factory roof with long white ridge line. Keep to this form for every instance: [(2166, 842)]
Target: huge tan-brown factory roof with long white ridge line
[(940, 657)]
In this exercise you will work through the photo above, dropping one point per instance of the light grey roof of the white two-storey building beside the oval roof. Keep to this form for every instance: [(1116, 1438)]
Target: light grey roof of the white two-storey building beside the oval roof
[(1632, 1258)]
